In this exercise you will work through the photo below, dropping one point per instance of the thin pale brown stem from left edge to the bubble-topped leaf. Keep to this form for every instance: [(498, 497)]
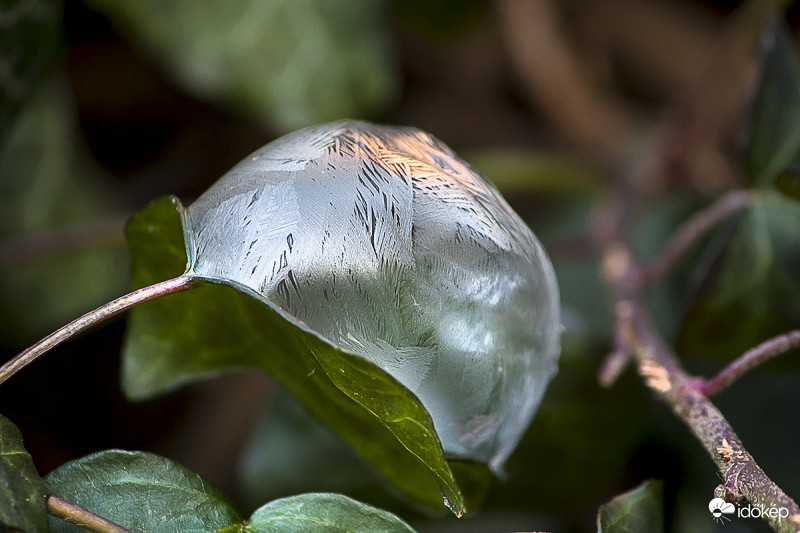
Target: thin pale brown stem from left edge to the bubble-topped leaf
[(105, 311)]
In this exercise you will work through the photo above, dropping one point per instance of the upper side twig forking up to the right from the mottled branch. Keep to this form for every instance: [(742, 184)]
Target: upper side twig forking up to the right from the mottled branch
[(694, 229)]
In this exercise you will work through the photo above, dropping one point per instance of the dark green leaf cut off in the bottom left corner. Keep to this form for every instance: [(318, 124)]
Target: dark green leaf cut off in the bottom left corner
[(22, 493)]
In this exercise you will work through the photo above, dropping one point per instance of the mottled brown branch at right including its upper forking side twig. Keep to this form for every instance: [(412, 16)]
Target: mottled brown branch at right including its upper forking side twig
[(628, 278)]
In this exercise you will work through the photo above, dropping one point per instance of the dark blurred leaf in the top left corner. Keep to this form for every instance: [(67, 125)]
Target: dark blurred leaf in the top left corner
[(29, 31)]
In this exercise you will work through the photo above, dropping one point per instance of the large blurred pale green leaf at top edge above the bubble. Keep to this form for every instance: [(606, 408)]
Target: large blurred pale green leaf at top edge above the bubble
[(286, 64)]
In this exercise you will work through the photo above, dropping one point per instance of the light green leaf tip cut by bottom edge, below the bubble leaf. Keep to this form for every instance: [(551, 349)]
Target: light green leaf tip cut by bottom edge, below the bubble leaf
[(325, 513)]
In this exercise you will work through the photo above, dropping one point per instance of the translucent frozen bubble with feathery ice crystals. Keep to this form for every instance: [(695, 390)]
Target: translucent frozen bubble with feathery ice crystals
[(385, 243)]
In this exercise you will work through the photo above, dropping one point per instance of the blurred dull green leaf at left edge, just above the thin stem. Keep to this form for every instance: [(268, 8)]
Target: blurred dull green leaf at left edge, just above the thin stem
[(57, 259)]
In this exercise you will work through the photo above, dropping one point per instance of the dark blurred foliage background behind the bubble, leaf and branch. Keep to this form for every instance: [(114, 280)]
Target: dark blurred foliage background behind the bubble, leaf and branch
[(109, 104)]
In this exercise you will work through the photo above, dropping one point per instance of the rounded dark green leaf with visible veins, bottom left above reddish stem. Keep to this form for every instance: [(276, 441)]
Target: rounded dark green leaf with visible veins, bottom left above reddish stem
[(141, 492)]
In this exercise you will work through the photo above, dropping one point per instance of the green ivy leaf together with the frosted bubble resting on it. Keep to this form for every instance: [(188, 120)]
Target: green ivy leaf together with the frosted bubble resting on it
[(384, 281)]
